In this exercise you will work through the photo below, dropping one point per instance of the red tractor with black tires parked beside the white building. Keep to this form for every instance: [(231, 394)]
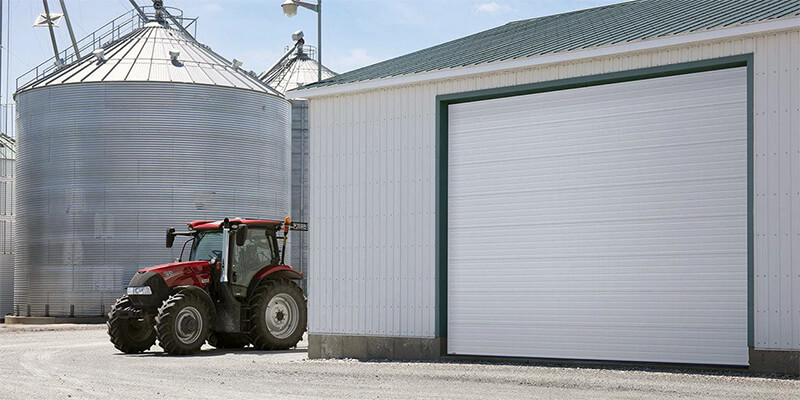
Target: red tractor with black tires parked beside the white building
[(229, 295)]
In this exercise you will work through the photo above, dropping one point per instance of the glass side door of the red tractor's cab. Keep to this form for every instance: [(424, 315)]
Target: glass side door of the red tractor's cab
[(257, 252)]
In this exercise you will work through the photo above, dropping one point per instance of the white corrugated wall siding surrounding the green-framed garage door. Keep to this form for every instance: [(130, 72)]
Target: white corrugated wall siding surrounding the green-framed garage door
[(372, 233)]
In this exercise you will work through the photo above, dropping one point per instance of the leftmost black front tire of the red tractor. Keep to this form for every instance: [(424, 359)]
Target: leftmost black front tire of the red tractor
[(129, 335)]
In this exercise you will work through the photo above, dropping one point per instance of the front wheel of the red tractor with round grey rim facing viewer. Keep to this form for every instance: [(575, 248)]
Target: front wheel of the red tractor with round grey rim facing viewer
[(182, 324)]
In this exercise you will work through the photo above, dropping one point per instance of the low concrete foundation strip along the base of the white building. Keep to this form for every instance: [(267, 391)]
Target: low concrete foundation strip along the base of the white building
[(784, 362)]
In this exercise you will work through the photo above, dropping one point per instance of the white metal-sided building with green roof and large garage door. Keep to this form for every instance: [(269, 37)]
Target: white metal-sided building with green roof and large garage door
[(619, 184)]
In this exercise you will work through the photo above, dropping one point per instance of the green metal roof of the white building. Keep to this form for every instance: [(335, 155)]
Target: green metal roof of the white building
[(594, 27)]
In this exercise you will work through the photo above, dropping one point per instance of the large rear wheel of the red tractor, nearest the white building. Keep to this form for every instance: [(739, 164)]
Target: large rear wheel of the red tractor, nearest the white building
[(284, 293)]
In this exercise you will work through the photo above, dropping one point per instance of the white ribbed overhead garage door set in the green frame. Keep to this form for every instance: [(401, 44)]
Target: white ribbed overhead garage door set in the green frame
[(607, 222)]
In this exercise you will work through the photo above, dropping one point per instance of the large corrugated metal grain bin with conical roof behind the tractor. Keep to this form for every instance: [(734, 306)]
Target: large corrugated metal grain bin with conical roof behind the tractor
[(121, 145)]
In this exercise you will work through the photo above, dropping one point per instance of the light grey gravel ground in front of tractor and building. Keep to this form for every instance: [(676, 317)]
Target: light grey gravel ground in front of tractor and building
[(60, 362)]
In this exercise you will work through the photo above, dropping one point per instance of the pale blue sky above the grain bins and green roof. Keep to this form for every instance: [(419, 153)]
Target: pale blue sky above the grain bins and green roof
[(355, 32)]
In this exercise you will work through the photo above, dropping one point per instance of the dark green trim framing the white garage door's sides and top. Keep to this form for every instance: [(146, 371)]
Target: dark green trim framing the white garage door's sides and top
[(442, 123)]
